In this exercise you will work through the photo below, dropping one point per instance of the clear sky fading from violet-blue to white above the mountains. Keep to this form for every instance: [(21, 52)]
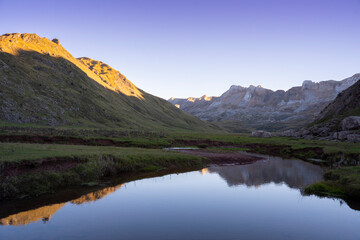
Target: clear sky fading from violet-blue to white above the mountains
[(183, 48)]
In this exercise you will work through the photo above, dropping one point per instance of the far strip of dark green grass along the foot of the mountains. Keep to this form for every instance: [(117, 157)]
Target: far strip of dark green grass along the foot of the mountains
[(113, 137)]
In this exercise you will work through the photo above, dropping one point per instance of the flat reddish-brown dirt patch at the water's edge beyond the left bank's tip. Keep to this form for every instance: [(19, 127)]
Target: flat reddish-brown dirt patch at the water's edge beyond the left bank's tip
[(222, 158)]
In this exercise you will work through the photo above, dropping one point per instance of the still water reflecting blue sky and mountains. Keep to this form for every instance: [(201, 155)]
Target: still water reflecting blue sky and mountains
[(262, 200)]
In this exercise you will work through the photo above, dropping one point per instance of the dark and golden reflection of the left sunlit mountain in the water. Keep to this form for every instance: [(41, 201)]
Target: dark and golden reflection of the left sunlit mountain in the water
[(23, 212)]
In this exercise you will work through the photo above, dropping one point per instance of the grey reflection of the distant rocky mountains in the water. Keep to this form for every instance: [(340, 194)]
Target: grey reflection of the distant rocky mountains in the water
[(295, 173)]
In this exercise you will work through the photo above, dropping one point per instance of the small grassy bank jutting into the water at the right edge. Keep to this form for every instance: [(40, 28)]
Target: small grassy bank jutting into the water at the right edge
[(340, 183)]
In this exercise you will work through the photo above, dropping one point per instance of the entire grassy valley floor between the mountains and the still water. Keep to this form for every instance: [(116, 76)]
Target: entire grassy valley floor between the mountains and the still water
[(35, 161)]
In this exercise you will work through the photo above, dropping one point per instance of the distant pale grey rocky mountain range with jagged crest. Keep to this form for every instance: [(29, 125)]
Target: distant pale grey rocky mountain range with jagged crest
[(255, 107)]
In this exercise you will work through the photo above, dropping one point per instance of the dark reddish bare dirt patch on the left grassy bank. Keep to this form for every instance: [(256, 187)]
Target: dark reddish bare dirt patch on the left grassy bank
[(10, 169)]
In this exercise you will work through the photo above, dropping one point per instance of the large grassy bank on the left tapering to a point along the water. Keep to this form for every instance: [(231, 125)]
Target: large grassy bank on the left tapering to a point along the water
[(28, 170)]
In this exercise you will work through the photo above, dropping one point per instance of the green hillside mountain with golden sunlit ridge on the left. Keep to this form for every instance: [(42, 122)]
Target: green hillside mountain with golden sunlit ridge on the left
[(42, 83)]
